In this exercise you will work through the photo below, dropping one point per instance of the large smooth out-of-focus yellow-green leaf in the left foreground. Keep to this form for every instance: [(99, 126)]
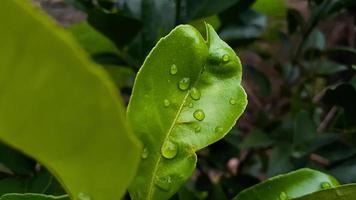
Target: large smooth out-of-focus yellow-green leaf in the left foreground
[(58, 107)]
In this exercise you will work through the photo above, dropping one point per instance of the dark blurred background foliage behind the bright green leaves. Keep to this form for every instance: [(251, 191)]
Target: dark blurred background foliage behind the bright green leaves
[(299, 62)]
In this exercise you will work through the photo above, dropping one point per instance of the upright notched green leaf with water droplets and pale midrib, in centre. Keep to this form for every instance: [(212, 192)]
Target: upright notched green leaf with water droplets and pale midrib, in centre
[(187, 95)]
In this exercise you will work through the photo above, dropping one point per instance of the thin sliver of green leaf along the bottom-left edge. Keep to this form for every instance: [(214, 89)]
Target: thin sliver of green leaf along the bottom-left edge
[(32, 197)]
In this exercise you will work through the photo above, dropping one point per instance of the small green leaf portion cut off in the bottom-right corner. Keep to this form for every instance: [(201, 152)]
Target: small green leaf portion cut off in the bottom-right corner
[(343, 192)]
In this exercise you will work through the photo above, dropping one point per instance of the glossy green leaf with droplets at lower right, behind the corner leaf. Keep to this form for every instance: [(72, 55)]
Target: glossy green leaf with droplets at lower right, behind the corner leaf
[(287, 186)]
